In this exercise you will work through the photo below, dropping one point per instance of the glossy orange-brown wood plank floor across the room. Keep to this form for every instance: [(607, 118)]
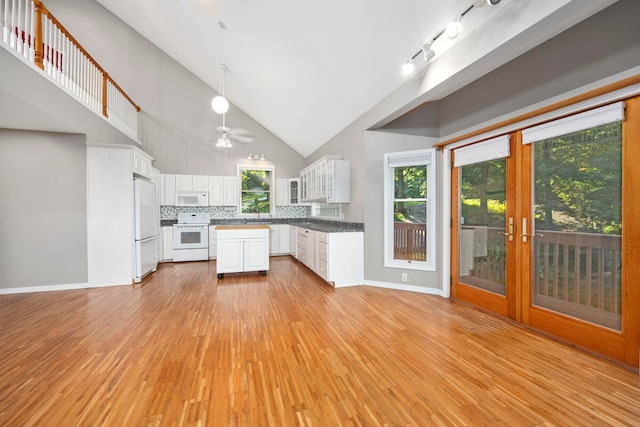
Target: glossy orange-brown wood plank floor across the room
[(285, 350)]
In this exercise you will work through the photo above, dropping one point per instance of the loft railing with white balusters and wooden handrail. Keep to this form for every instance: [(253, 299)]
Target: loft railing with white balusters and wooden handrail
[(30, 29)]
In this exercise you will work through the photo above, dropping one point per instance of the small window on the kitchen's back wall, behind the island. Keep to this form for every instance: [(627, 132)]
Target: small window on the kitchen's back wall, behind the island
[(256, 184)]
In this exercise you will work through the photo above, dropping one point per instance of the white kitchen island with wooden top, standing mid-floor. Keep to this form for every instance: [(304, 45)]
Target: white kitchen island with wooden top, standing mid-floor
[(242, 249)]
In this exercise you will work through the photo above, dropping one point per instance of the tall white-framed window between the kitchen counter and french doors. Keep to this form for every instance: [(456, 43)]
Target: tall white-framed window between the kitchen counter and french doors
[(409, 210)]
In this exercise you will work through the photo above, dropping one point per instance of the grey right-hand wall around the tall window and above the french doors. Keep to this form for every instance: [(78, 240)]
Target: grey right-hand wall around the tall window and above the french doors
[(598, 48)]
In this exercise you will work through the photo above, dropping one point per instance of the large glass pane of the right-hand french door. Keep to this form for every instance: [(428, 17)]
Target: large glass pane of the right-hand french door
[(577, 257)]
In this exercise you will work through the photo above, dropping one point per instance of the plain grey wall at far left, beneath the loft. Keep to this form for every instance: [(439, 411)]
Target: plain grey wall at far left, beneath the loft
[(43, 209)]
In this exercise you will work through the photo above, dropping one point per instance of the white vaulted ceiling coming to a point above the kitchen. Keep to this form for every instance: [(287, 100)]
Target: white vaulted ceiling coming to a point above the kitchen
[(302, 69)]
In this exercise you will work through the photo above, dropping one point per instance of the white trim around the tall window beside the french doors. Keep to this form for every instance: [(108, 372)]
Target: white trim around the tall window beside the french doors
[(427, 158)]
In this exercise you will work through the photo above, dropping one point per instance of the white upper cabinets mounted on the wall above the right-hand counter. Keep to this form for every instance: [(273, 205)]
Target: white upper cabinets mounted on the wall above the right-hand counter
[(326, 180)]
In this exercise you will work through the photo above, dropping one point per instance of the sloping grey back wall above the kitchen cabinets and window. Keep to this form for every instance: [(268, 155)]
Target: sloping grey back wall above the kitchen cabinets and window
[(178, 124)]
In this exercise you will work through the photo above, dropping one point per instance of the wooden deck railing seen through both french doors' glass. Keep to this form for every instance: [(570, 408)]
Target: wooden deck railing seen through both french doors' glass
[(577, 273)]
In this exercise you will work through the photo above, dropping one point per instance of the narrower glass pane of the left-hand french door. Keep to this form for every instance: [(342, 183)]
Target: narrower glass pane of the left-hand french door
[(483, 205)]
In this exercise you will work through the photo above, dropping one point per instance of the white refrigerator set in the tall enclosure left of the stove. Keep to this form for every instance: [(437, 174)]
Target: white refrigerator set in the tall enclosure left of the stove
[(146, 227)]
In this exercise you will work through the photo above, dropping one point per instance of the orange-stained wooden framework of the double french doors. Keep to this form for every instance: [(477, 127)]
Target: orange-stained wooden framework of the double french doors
[(621, 345)]
